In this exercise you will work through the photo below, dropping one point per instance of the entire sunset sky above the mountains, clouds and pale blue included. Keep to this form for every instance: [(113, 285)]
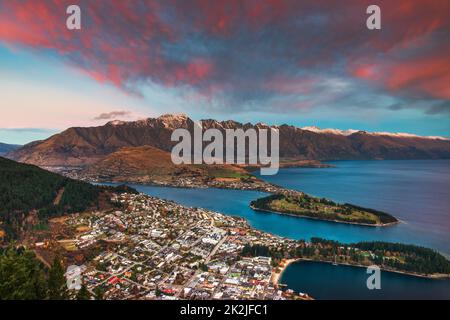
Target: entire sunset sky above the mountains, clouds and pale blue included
[(304, 63)]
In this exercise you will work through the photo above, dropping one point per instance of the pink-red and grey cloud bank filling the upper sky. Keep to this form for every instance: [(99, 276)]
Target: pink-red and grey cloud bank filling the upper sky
[(252, 55)]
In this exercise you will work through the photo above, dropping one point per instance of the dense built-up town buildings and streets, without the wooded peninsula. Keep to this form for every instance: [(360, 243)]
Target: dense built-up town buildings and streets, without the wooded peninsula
[(157, 249)]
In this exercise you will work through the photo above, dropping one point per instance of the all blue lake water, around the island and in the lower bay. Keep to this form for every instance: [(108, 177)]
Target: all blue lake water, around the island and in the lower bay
[(416, 192)]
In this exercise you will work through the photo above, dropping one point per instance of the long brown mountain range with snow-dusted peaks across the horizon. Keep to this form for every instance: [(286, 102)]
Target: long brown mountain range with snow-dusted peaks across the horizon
[(83, 146)]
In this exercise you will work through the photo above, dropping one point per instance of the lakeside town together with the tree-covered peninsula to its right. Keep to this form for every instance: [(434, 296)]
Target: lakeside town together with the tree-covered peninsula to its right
[(148, 248)]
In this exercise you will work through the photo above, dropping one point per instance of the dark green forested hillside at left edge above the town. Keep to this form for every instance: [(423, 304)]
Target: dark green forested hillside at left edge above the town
[(26, 188)]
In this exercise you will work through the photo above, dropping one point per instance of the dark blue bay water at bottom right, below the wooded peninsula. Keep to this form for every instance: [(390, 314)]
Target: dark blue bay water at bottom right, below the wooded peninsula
[(326, 281)]
